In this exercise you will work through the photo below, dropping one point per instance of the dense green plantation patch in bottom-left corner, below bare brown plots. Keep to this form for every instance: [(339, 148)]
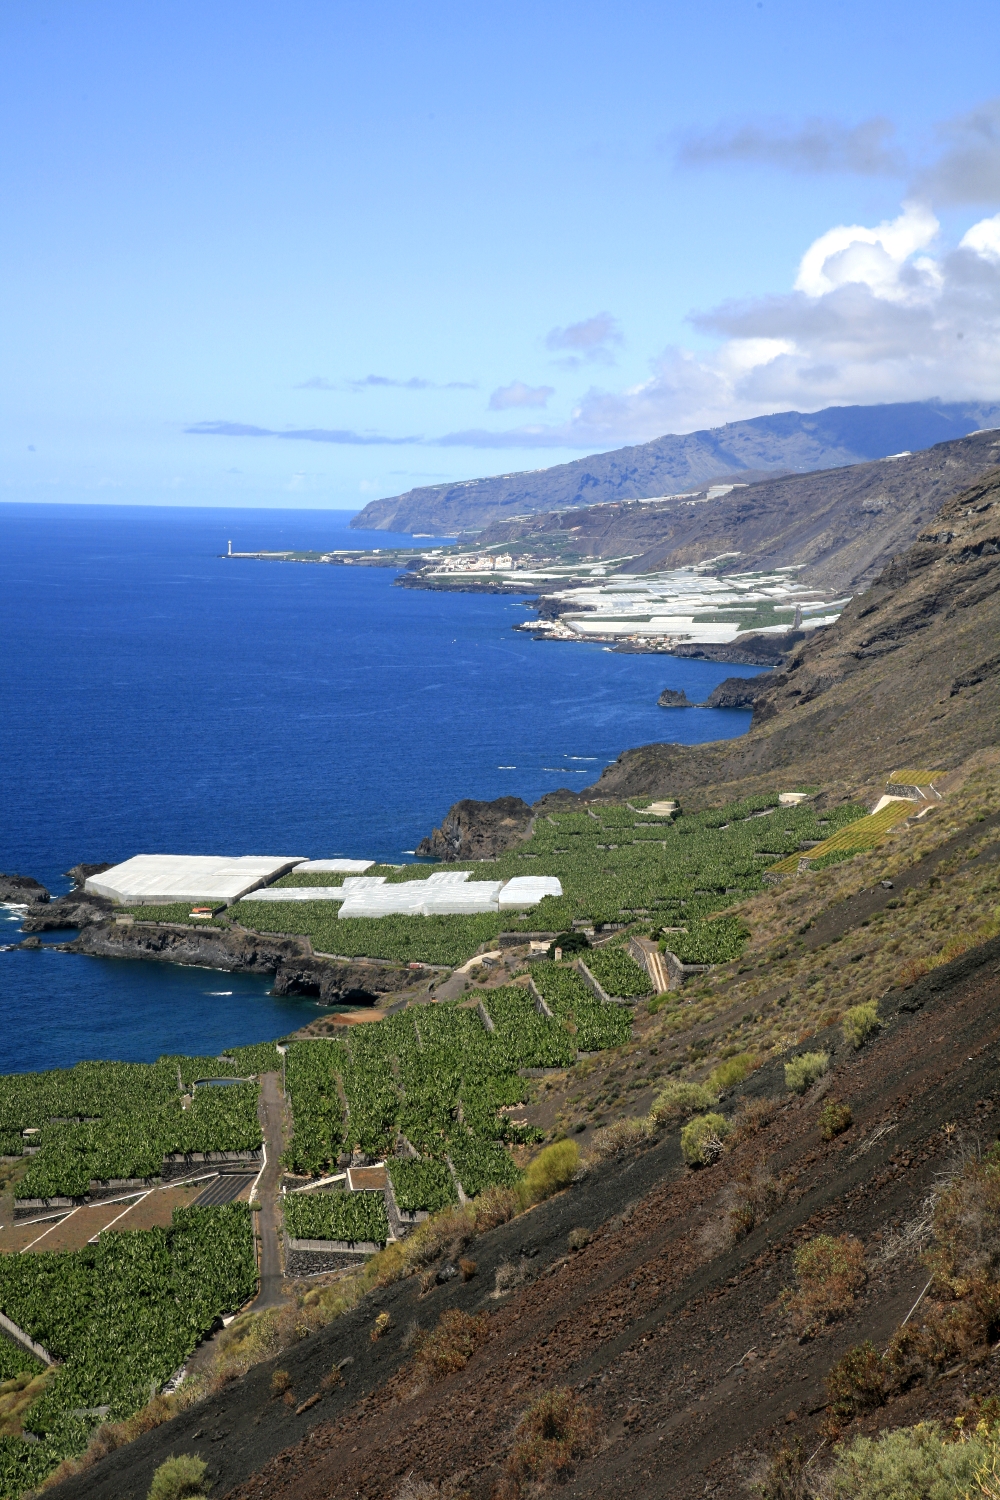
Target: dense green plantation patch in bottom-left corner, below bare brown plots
[(124, 1316)]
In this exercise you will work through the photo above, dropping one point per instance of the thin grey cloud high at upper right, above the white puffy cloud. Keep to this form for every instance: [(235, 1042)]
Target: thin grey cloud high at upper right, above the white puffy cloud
[(815, 146)]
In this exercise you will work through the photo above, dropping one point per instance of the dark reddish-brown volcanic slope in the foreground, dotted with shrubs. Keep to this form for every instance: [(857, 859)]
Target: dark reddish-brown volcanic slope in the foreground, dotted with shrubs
[(677, 1340)]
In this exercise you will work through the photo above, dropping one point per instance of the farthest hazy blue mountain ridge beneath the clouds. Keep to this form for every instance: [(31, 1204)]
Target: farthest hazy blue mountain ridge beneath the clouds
[(788, 442)]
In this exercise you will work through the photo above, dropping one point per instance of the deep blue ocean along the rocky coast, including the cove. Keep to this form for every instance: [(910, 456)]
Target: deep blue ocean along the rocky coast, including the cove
[(157, 698)]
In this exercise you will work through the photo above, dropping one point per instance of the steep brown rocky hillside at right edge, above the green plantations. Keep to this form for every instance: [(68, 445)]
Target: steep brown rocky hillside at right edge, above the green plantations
[(909, 674)]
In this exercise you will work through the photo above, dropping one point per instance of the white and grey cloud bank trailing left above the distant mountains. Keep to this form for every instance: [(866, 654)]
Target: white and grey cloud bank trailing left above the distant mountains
[(876, 314)]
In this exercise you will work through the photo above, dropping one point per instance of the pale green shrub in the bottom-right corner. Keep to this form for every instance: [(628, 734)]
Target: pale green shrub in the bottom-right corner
[(914, 1463)]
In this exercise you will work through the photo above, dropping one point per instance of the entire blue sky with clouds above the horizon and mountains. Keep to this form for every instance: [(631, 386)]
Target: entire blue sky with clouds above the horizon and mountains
[(454, 241)]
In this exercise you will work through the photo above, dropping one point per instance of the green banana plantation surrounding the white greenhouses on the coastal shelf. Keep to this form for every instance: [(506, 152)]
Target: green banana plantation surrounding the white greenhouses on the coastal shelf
[(612, 862)]
